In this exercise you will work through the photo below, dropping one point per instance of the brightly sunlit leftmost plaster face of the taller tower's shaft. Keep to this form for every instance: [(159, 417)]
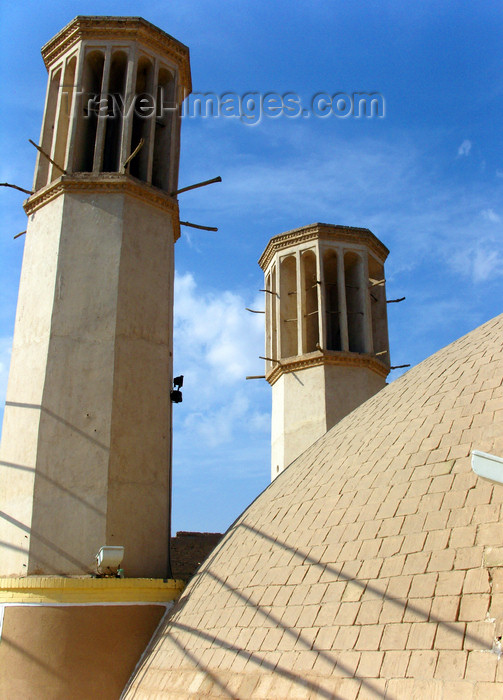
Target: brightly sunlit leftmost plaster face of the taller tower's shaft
[(18, 450)]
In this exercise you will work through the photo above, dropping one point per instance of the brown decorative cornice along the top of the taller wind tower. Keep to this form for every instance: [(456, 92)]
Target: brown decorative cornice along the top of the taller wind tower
[(119, 28)]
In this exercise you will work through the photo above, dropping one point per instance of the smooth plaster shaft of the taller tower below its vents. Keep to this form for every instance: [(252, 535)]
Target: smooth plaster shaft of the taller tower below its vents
[(97, 343)]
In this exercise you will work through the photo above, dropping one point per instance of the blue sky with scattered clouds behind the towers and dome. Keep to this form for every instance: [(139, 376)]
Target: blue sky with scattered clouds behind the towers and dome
[(427, 179)]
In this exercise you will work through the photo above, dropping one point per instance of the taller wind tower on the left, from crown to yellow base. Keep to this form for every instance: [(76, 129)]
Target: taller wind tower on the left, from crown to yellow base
[(86, 444)]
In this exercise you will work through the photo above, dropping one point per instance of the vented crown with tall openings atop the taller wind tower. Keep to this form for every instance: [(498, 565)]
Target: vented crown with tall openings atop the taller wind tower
[(115, 85)]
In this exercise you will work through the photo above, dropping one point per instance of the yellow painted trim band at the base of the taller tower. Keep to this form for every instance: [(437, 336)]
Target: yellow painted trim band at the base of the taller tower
[(56, 589)]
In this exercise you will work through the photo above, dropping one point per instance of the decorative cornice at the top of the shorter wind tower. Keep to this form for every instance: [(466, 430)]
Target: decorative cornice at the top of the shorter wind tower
[(342, 234)]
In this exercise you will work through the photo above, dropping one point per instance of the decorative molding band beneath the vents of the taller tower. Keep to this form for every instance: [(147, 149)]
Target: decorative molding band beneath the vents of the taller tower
[(109, 183)]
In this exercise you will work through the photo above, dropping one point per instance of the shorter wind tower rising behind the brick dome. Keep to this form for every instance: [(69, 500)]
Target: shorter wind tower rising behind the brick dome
[(327, 347)]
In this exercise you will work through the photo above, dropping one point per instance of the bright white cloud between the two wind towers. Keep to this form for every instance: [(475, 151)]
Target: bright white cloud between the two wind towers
[(217, 343)]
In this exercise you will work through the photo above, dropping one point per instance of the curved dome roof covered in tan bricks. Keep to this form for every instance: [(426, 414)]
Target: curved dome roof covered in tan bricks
[(373, 565)]
